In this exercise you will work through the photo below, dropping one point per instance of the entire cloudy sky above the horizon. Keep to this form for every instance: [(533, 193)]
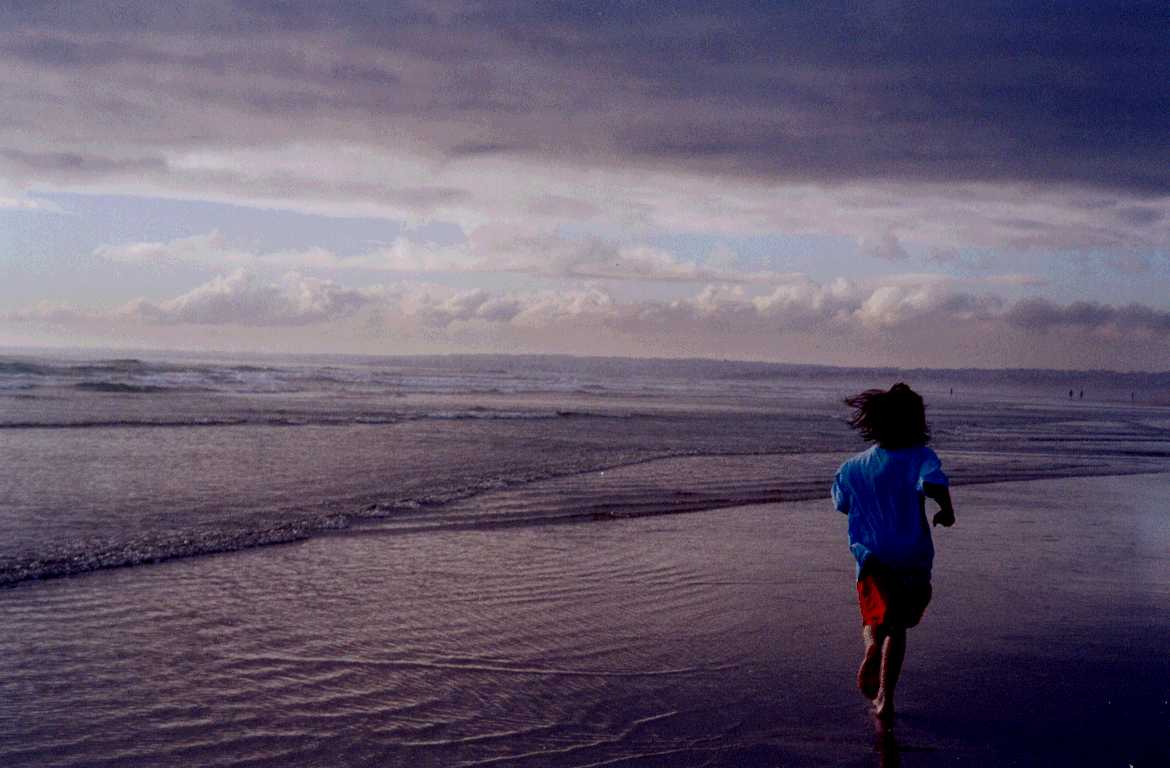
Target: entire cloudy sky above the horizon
[(916, 184)]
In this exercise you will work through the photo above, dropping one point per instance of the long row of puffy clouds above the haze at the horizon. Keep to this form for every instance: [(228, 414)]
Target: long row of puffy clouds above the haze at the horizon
[(800, 305)]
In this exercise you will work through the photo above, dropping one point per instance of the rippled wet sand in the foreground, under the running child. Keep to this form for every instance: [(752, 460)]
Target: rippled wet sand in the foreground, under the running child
[(720, 639)]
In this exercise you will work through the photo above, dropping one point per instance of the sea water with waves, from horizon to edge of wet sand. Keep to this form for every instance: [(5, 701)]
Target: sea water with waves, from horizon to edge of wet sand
[(112, 462)]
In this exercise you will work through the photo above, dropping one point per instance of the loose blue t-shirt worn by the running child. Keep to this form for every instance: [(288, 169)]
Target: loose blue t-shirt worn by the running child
[(882, 491)]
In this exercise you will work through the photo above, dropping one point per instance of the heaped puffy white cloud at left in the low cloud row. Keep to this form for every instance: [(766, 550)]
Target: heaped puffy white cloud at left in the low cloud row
[(243, 299)]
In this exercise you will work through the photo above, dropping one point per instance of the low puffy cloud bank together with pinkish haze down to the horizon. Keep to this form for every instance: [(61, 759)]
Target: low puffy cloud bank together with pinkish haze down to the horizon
[(907, 320)]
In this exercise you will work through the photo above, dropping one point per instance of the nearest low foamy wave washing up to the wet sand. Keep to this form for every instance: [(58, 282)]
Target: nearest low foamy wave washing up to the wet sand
[(656, 486)]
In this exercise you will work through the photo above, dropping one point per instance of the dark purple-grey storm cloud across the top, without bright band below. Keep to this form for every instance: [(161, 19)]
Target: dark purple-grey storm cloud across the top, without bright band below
[(830, 92)]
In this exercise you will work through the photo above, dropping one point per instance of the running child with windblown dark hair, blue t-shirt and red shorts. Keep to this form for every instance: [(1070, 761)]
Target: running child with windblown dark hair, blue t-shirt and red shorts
[(884, 492)]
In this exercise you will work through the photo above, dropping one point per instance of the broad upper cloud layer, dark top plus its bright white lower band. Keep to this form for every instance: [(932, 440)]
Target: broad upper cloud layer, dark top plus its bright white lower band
[(1022, 127)]
